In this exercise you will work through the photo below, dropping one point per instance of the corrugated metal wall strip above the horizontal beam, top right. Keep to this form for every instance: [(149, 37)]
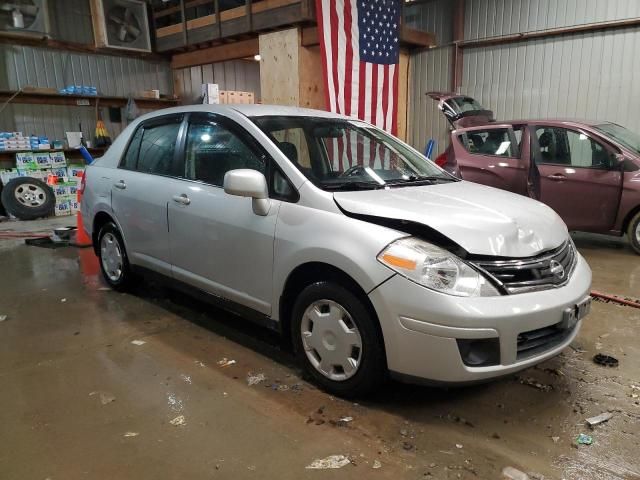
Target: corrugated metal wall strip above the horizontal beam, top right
[(490, 18)]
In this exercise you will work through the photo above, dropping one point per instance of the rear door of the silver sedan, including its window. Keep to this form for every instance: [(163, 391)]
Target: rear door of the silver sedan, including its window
[(140, 192)]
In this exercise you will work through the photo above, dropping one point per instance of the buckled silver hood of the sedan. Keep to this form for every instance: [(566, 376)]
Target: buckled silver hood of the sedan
[(482, 220)]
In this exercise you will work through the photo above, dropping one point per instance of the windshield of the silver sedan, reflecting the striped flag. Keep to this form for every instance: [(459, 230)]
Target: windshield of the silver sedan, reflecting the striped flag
[(349, 154)]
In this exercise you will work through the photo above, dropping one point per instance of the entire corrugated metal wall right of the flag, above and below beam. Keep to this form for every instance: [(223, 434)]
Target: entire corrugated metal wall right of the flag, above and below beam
[(577, 75)]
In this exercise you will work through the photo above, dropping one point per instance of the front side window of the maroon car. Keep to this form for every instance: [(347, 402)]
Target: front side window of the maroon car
[(560, 146)]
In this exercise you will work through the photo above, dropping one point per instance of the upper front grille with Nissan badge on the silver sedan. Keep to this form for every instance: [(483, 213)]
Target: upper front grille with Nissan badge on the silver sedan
[(548, 270)]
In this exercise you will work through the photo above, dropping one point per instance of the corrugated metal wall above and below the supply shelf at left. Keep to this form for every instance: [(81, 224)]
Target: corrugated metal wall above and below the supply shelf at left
[(119, 76)]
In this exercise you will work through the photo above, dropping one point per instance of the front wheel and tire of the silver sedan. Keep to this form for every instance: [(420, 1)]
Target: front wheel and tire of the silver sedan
[(338, 341)]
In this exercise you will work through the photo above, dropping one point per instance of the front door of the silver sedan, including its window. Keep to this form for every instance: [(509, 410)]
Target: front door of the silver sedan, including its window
[(218, 243)]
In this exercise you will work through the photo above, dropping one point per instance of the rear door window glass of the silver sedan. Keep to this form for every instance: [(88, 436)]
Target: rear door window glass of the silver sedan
[(157, 149)]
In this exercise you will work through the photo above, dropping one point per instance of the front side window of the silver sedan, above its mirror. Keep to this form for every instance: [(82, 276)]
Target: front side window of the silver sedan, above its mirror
[(213, 150)]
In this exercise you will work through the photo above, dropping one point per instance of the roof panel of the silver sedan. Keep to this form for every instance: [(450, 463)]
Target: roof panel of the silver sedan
[(249, 110)]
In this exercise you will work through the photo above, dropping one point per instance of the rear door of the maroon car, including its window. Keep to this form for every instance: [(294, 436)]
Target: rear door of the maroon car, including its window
[(494, 156)]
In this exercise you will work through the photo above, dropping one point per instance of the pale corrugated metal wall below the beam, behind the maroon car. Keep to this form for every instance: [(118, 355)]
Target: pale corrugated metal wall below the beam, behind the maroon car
[(577, 76)]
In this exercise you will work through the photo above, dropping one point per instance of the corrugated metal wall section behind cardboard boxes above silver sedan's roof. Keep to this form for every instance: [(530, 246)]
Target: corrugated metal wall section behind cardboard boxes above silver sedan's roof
[(239, 75)]
